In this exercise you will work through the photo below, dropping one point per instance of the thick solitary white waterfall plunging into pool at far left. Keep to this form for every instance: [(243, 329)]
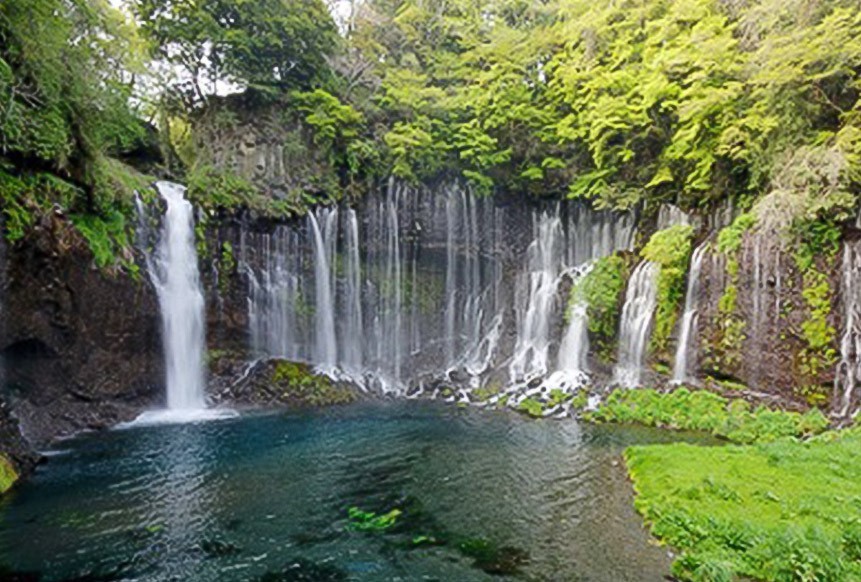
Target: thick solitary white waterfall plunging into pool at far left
[(174, 273)]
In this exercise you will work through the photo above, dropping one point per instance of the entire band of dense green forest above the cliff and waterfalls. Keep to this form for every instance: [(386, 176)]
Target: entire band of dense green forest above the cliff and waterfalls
[(688, 101)]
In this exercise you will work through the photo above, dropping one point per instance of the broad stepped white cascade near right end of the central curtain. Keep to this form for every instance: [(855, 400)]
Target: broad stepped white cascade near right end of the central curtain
[(535, 294)]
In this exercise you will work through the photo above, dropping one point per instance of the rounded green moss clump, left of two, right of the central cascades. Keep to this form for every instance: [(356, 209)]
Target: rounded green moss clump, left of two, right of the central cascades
[(601, 290)]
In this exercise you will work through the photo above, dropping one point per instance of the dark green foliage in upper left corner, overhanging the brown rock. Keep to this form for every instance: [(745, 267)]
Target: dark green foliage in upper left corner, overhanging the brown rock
[(64, 107)]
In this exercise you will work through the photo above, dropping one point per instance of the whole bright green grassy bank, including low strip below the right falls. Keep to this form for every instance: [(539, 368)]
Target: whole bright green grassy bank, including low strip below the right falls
[(776, 507)]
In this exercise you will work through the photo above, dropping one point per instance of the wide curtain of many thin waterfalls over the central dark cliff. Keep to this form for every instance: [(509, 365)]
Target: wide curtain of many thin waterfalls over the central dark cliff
[(415, 287)]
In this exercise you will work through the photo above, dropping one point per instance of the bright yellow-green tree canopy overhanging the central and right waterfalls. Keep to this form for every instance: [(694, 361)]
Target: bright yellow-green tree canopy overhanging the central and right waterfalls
[(691, 99)]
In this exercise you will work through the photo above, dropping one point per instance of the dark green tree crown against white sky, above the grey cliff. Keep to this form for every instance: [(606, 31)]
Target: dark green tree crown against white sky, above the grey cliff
[(268, 45)]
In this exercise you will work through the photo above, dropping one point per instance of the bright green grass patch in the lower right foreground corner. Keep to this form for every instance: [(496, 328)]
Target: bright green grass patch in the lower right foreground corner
[(783, 511)]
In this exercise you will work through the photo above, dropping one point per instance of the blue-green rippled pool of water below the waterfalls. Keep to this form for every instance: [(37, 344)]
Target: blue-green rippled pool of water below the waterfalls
[(479, 492)]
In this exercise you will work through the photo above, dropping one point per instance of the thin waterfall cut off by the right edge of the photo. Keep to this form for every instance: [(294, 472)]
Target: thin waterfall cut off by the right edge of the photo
[(848, 373)]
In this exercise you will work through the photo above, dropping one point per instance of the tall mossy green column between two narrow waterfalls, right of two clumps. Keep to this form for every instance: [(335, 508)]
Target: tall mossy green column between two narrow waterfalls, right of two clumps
[(671, 249)]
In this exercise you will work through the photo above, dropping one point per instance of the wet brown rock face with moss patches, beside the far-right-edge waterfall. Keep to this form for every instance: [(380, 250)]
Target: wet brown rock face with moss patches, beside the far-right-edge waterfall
[(761, 344)]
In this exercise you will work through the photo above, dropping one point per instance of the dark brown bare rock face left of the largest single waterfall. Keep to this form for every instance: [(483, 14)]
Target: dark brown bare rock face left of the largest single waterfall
[(81, 348)]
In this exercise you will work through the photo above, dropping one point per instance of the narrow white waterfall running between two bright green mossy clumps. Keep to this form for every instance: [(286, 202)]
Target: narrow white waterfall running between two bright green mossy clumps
[(639, 307)]
